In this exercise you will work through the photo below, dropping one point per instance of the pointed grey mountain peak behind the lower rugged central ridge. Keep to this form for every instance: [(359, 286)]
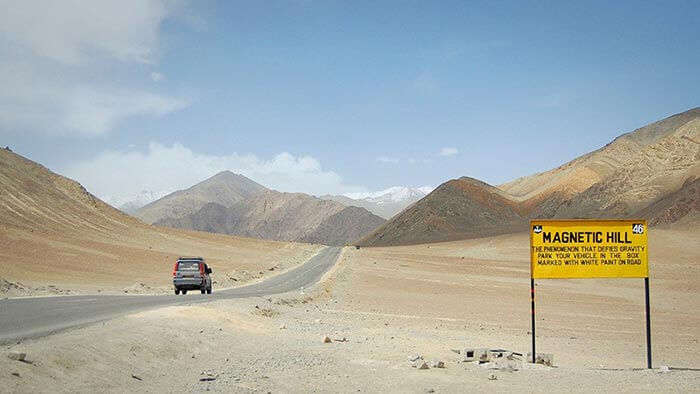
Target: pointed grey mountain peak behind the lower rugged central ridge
[(224, 188)]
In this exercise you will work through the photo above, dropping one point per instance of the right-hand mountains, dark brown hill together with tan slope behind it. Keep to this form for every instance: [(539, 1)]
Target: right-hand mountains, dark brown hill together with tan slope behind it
[(648, 173)]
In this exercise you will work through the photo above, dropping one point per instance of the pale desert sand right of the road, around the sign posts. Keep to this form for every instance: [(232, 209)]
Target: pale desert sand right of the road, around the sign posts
[(390, 304)]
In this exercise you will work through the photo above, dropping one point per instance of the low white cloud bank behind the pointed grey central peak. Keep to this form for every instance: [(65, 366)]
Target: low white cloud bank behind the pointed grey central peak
[(166, 169)]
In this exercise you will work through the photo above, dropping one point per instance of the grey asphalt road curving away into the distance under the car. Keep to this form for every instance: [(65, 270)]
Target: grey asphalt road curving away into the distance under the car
[(25, 318)]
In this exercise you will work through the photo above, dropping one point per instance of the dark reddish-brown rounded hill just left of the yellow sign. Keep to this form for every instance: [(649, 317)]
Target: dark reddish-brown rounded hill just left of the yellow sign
[(457, 209)]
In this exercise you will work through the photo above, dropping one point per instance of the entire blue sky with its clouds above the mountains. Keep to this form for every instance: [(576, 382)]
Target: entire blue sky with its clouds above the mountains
[(335, 97)]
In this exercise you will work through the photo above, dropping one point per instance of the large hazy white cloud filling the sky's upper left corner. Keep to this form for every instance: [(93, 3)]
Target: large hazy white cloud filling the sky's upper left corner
[(59, 60)]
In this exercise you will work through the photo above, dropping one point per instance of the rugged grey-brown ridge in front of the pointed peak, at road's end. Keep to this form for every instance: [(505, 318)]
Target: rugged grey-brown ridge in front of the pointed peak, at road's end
[(282, 216)]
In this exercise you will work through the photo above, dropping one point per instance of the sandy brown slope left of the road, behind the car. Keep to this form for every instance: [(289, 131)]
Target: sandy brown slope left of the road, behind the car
[(53, 232)]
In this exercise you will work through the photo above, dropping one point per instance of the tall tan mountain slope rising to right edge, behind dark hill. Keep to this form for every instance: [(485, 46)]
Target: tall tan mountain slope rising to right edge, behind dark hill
[(666, 148)]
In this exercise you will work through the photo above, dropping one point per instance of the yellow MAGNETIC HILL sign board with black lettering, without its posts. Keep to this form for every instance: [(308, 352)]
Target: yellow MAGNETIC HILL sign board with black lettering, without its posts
[(588, 249)]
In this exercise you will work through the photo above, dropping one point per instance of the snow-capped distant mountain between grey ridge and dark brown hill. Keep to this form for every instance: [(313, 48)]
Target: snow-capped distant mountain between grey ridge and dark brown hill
[(385, 203)]
